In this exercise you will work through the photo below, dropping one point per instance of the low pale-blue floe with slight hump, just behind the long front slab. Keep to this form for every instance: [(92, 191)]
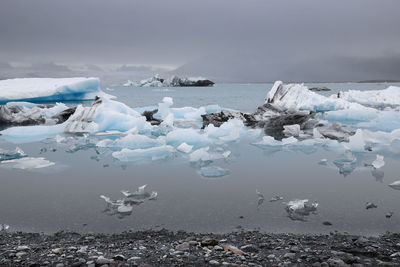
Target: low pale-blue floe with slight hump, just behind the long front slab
[(132, 141)]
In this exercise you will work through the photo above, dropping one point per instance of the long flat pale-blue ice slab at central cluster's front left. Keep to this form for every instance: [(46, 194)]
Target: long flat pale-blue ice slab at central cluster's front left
[(148, 154)]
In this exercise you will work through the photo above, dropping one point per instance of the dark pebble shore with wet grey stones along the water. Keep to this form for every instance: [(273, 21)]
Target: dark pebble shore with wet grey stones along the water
[(165, 248)]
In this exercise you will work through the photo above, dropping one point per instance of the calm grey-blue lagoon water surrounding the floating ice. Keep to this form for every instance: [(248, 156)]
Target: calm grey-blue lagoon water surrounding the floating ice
[(66, 196)]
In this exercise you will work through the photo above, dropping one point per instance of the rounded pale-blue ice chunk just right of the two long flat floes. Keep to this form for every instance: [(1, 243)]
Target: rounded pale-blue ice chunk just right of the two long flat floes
[(190, 136)]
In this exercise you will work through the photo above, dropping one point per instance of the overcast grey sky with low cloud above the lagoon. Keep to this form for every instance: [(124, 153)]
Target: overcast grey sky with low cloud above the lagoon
[(226, 39)]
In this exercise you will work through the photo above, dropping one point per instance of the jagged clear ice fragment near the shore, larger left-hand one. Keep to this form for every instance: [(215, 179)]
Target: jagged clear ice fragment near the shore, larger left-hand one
[(123, 207)]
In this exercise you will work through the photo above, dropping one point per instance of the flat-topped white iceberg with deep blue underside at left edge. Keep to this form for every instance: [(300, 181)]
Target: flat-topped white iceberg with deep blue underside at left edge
[(48, 89)]
